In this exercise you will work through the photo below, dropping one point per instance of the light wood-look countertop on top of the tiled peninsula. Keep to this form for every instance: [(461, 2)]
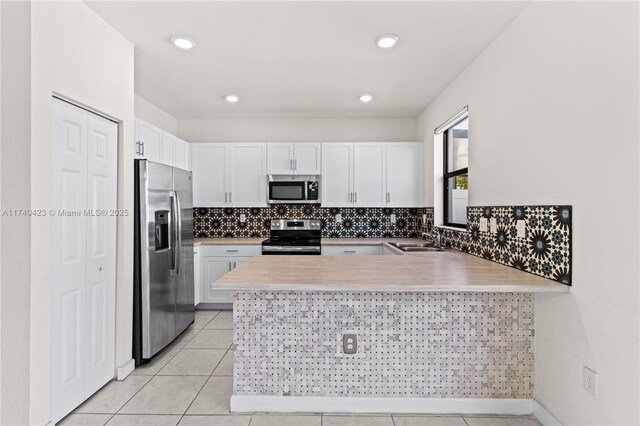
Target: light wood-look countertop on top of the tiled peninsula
[(447, 271)]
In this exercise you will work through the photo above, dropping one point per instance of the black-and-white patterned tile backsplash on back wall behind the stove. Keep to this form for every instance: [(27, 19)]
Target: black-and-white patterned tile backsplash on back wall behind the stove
[(366, 222)]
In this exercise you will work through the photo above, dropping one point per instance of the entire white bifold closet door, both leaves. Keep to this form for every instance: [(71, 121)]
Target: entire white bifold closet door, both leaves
[(83, 256)]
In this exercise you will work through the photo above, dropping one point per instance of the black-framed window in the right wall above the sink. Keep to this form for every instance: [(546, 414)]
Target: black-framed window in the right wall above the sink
[(456, 174)]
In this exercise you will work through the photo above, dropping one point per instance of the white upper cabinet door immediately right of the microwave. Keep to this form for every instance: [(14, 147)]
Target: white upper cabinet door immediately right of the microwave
[(337, 172)]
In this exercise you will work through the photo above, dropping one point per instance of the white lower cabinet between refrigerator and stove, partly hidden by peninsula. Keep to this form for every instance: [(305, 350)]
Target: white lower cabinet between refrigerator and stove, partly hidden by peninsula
[(215, 261)]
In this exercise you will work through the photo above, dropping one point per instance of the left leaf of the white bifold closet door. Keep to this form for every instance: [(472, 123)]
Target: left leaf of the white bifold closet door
[(69, 258)]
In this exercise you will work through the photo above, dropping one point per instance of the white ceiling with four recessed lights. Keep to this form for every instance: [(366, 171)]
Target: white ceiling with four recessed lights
[(302, 59)]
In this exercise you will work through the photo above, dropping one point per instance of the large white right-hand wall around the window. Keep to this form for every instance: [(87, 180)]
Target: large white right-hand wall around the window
[(554, 118)]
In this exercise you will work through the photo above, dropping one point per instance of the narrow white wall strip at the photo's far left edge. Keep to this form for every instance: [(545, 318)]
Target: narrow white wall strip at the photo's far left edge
[(15, 194)]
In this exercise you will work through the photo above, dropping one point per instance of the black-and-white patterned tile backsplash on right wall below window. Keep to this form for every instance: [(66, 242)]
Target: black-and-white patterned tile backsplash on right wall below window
[(545, 250)]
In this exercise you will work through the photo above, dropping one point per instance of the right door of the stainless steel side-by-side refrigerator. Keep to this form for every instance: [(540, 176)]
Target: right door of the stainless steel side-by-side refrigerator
[(184, 280)]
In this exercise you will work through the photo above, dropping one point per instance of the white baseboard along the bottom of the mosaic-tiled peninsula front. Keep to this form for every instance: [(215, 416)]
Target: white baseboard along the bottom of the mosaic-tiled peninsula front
[(293, 404)]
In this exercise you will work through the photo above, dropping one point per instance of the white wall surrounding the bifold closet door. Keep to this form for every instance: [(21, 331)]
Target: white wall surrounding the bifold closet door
[(75, 53)]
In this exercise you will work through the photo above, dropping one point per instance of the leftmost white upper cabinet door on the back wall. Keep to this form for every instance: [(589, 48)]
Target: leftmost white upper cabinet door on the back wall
[(210, 175)]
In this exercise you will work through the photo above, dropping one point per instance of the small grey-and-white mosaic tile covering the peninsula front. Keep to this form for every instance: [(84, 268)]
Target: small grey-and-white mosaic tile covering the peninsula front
[(423, 345)]
